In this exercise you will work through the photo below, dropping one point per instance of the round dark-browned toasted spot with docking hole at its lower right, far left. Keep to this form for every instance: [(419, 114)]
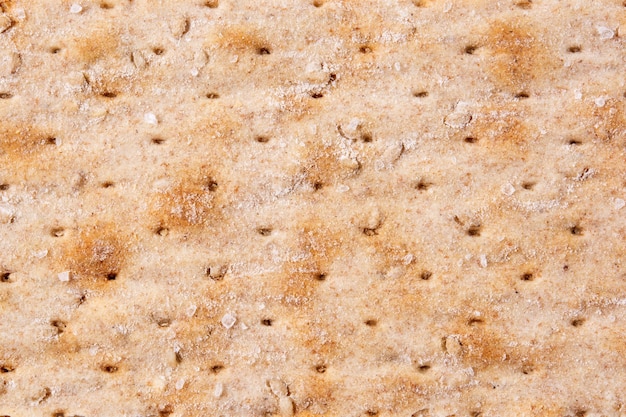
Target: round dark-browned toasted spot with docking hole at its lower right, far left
[(94, 254)]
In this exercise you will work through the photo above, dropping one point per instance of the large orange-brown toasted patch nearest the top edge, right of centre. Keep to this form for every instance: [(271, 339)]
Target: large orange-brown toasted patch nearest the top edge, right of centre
[(520, 59)]
